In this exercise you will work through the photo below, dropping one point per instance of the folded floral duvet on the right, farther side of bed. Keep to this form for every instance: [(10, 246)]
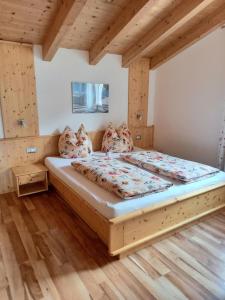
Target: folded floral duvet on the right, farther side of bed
[(173, 167)]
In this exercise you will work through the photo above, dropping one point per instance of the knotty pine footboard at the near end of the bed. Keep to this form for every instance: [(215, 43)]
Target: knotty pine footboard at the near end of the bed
[(134, 230)]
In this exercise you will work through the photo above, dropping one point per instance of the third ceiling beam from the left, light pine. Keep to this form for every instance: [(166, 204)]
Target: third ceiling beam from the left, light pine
[(183, 13)]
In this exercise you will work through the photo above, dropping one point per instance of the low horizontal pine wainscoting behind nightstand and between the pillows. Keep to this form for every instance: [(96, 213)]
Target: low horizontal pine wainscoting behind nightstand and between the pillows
[(13, 152)]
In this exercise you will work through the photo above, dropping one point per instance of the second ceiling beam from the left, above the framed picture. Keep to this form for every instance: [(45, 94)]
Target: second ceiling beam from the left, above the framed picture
[(132, 10)]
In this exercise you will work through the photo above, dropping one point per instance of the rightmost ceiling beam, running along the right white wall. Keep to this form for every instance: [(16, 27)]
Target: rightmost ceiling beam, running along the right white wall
[(204, 27)]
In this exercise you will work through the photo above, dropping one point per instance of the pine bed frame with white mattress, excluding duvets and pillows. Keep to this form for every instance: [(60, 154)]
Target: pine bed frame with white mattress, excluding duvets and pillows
[(126, 225)]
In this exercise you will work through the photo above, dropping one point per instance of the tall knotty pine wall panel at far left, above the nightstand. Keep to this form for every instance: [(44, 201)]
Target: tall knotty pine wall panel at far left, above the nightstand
[(18, 90)]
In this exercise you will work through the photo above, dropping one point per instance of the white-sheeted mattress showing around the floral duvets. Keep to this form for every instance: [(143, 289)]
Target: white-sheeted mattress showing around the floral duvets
[(111, 206)]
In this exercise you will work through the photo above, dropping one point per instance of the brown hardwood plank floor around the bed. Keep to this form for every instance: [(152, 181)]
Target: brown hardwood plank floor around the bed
[(46, 252)]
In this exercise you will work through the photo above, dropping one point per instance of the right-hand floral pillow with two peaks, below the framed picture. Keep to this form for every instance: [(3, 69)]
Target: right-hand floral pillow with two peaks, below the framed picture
[(117, 141)]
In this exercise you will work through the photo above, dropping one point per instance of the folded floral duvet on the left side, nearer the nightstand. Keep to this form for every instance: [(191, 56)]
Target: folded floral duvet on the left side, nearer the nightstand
[(117, 176)]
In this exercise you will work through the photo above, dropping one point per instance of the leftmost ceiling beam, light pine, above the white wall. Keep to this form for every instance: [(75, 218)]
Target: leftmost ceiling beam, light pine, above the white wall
[(63, 21)]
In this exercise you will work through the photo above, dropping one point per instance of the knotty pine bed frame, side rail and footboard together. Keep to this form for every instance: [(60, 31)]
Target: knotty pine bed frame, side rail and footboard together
[(129, 232)]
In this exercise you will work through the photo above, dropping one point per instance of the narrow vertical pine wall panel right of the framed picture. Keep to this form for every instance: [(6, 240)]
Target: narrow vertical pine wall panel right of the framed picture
[(138, 103)]
